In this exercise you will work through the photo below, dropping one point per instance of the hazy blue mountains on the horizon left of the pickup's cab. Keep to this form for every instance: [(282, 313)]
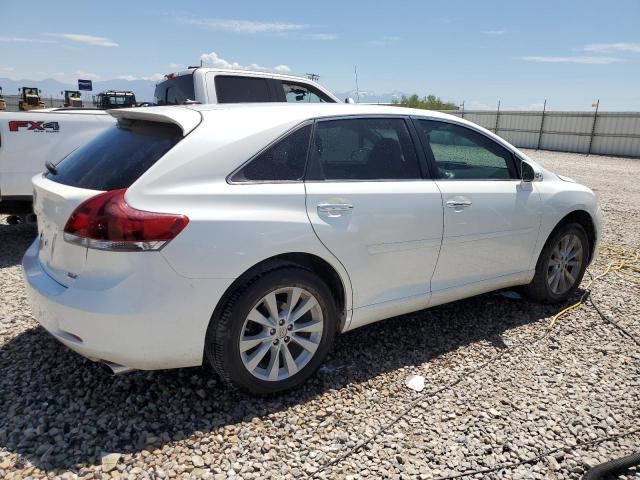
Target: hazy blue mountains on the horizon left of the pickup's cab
[(51, 88)]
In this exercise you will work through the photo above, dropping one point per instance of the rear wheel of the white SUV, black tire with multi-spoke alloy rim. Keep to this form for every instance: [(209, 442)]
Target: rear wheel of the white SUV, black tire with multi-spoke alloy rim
[(262, 366)]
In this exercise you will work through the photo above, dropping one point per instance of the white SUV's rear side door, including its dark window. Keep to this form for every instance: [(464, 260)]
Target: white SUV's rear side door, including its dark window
[(371, 207)]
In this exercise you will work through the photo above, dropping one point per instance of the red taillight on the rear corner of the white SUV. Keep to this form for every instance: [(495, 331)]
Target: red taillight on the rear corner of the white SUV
[(106, 222)]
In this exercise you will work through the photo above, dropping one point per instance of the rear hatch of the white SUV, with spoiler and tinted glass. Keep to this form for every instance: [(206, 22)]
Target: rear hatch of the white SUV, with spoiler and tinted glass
[(114, 160)]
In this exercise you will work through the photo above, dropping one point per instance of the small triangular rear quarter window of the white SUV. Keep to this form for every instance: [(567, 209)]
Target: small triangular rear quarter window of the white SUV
[(284, 161)]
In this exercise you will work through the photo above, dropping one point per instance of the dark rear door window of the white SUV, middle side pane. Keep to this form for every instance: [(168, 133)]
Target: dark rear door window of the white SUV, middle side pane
[(363, 149)]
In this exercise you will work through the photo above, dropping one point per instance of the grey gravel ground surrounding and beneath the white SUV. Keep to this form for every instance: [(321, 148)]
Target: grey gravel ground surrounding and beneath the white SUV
[(498, 390)]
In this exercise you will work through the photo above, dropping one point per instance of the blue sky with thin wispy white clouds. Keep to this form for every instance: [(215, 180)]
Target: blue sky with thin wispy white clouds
[(569, 52)]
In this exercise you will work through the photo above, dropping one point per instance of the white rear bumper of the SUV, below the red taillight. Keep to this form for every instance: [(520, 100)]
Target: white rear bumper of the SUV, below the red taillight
[(152, 318)]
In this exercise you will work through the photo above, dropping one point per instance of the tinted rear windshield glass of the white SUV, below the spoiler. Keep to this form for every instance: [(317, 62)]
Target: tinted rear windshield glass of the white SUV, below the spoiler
[(117, 157)]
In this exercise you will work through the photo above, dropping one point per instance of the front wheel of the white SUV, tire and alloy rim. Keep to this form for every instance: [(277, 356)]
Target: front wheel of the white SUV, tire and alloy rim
[(557, 276)]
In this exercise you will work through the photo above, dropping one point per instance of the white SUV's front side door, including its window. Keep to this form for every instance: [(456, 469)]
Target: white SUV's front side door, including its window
[(491, 217)]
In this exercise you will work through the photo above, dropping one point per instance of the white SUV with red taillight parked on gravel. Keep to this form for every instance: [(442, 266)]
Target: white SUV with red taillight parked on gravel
[(251, 234)]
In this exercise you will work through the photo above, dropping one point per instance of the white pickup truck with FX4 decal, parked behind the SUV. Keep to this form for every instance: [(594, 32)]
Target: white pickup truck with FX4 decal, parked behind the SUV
[(30, 139)]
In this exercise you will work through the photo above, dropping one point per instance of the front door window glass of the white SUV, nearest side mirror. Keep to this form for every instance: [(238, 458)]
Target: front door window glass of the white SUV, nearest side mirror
[(460, 153)]
